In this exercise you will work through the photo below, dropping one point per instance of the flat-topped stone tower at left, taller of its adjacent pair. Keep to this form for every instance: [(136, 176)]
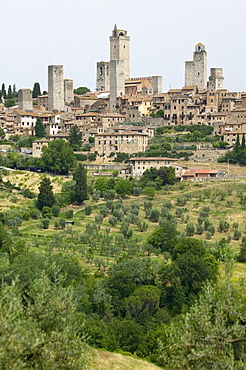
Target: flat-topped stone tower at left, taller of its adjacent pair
[(55, 88)]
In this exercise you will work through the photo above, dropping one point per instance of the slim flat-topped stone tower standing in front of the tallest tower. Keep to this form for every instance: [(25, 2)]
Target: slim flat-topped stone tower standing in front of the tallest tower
[(117, 82)]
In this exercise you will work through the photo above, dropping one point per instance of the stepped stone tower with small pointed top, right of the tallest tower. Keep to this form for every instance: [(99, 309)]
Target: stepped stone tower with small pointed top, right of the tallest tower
[(196, 70)]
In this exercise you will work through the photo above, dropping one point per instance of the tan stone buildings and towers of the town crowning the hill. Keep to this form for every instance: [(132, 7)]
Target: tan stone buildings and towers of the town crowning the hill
[(121, 116)]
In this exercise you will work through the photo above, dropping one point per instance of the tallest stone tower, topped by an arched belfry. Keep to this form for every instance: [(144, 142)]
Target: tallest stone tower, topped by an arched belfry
[(120, 49)]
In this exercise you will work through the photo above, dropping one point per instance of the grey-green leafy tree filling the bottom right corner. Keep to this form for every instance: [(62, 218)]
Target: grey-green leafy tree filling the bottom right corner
[(212, 334)]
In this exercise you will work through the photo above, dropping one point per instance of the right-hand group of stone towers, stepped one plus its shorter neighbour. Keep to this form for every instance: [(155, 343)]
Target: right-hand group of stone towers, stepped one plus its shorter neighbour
[(196, 71)]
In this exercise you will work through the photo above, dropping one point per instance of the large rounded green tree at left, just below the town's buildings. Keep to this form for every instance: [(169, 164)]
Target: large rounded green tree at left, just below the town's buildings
[(58, 157)]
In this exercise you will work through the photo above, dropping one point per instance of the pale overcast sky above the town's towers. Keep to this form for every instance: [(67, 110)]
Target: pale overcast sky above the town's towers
[(75, 33)]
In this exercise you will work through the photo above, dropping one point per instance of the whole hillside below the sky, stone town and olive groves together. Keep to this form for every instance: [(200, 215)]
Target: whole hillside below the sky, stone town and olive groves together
[(122, 221)]
